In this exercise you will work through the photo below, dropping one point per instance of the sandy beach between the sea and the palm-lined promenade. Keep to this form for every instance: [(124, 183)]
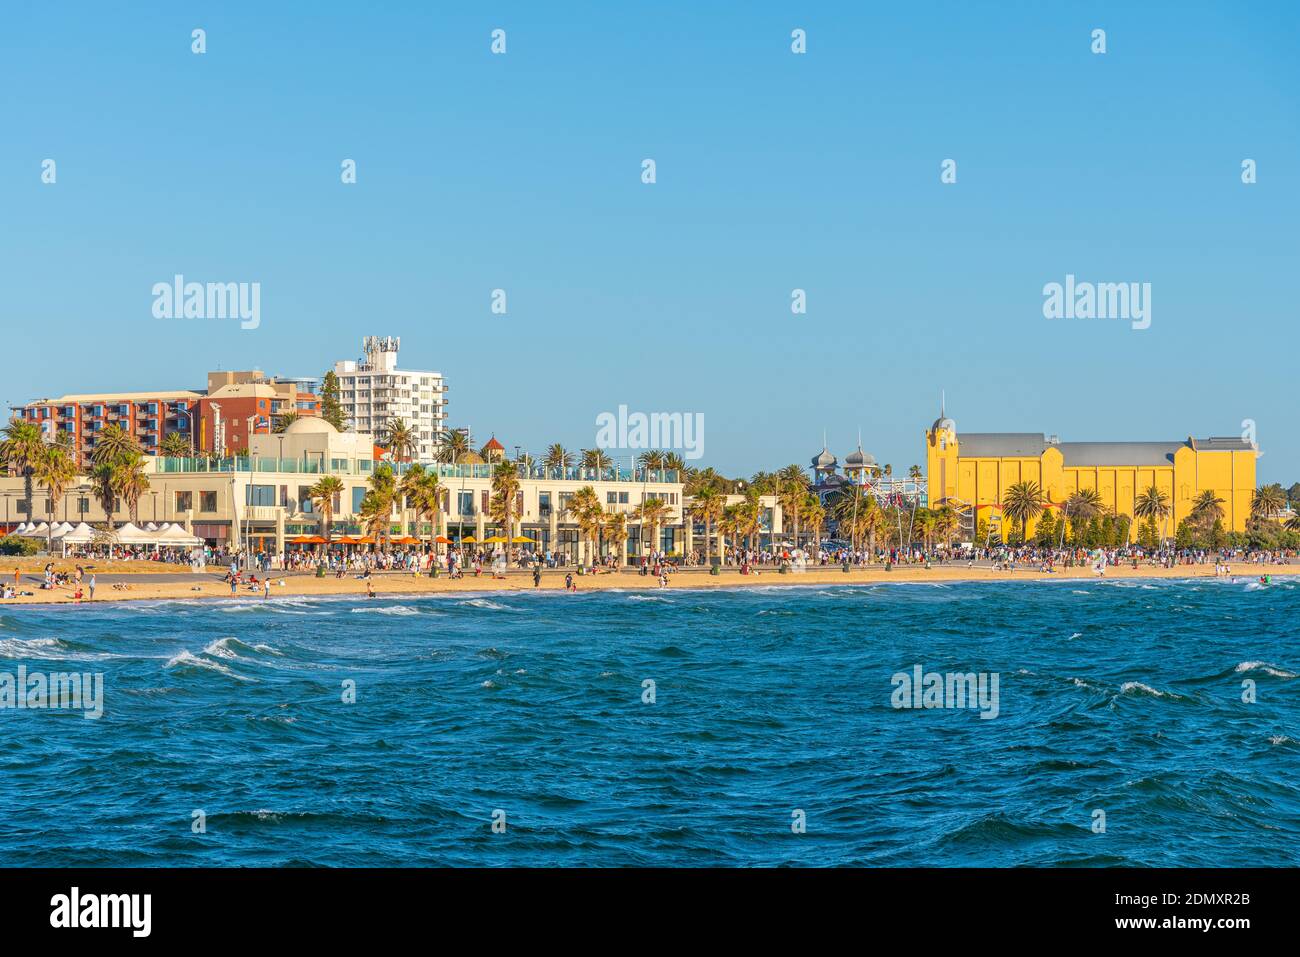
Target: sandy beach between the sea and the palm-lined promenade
[(144, 581)]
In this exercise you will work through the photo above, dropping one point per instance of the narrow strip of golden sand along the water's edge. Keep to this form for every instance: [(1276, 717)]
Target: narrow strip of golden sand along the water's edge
[(395, 586)]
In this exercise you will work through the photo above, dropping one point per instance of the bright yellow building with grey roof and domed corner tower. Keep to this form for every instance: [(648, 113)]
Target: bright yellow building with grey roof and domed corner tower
[(973, 471)]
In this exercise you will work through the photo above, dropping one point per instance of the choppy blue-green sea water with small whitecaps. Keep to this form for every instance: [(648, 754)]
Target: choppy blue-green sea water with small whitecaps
[(769, 704)]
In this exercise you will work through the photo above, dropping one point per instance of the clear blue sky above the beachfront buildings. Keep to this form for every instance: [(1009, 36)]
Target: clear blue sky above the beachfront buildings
[(775, 172)]
